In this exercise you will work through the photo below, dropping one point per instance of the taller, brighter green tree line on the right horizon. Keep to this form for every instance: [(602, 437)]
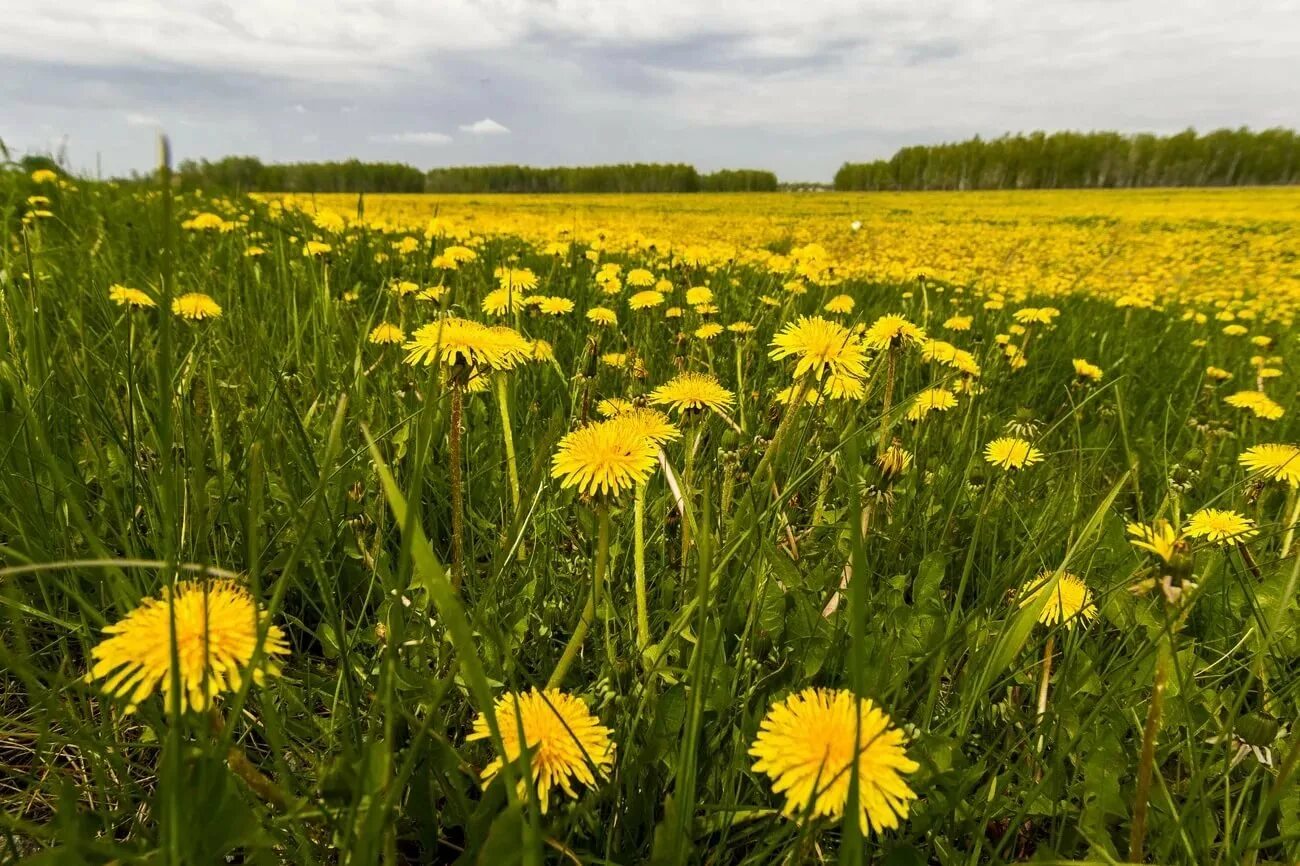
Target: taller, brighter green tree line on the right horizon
[(1086, 161)]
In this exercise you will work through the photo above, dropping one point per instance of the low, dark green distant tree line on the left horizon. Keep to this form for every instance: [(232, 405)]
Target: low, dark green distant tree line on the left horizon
[(249, 175)]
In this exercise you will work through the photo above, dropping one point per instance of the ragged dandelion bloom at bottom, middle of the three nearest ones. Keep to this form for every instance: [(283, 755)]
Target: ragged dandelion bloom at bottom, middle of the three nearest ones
[(566, 743)]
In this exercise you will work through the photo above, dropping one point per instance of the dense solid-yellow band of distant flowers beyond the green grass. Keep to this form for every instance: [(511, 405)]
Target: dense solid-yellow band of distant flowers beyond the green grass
[(1214, 249)]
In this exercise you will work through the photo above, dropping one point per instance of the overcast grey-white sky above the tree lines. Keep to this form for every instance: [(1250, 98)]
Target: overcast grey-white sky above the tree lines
[(798, 86)]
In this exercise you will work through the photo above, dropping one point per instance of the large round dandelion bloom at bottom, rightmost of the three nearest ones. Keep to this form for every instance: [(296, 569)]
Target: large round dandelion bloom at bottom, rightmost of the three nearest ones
[(811, 742)]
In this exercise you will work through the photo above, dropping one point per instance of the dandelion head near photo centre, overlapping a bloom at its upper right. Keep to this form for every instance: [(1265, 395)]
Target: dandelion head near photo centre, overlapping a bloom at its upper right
[(605, 457)]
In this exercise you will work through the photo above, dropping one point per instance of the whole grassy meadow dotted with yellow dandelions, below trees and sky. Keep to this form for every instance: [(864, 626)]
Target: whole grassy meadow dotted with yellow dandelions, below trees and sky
[(730, 530)]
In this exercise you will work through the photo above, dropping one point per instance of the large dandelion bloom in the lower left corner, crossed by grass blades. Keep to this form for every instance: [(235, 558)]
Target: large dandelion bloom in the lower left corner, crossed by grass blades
[(216, 636)]
